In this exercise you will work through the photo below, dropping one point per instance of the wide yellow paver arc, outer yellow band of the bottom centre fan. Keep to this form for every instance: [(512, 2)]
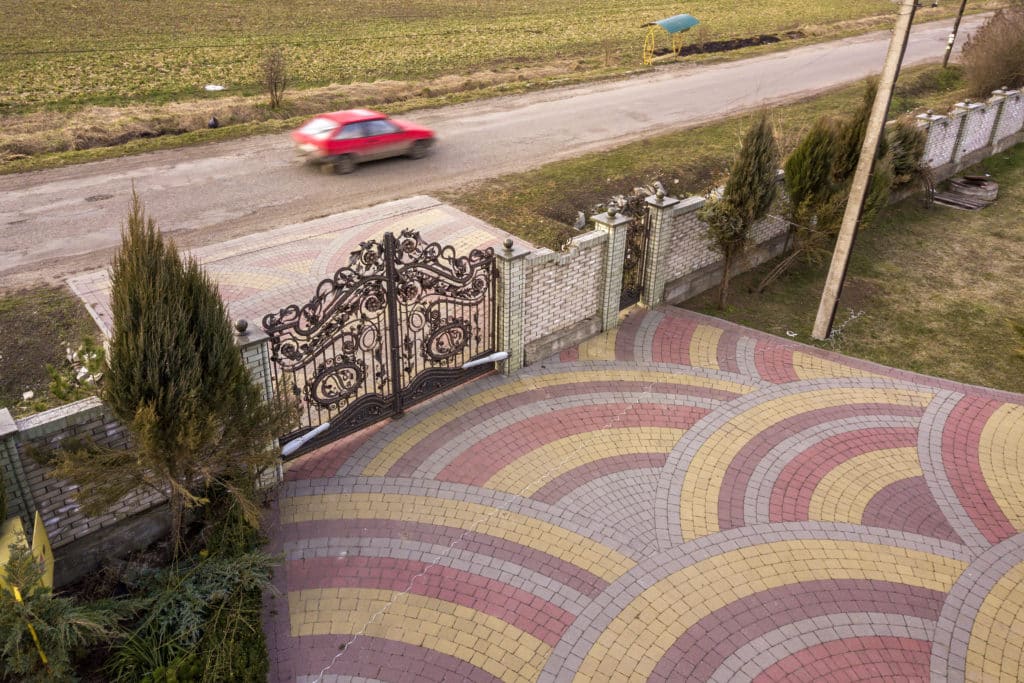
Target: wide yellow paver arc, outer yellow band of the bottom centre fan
[(697, 589)]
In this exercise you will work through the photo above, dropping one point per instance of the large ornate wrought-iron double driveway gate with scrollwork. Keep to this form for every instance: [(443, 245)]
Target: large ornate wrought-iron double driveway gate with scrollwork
[(389, 330)]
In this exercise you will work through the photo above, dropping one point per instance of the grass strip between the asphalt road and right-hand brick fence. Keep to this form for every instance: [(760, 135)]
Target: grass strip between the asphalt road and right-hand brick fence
[(540, 206)]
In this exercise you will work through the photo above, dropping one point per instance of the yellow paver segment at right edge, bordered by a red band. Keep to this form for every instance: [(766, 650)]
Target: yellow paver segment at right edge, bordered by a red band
[(1001, 451)]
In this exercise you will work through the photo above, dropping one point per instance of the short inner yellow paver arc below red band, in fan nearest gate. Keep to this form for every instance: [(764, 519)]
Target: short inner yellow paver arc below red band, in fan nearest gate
[(533, 471)]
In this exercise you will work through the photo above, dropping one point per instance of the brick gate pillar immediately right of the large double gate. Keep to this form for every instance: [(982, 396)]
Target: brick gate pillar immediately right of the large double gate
[(511, 304)]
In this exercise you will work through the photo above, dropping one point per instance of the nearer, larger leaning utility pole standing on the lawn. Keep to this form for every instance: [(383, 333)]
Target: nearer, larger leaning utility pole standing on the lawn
[(863, 177)]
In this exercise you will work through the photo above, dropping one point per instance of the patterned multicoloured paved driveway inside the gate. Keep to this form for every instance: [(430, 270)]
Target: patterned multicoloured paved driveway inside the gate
[(681, 499)]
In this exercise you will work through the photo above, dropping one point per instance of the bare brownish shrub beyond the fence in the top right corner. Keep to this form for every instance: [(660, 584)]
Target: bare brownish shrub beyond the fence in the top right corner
[(994, 58)]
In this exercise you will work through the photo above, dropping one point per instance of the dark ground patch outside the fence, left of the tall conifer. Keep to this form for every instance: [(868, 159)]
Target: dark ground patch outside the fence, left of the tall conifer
[(38, 327)]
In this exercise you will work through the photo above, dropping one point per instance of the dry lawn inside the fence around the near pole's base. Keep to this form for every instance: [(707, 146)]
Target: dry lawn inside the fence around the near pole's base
[(929, 289)]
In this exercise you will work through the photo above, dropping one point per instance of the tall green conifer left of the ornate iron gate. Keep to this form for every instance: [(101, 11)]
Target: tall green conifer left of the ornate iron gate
[(177, 380)]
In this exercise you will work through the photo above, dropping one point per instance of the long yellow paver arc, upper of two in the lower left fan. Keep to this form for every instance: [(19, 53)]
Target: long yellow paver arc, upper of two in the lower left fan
[(608, 564)]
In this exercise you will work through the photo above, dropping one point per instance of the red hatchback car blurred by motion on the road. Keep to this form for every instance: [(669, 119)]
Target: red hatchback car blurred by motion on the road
[(344, 140)]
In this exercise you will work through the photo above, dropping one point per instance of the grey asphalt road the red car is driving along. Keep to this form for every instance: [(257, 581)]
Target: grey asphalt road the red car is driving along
[(61, 222)]
